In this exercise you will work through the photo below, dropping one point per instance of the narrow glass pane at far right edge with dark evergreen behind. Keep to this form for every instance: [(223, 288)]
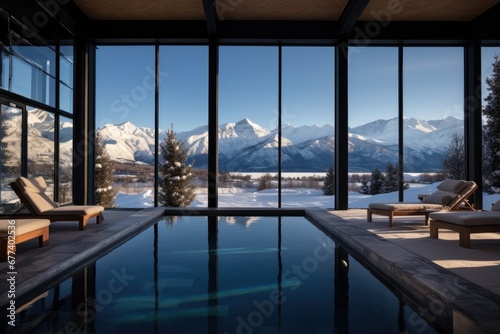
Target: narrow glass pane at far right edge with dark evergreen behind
[(489, 58)]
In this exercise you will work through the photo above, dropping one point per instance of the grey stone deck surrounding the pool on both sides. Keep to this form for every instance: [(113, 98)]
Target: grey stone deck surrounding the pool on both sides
[(457, 287)]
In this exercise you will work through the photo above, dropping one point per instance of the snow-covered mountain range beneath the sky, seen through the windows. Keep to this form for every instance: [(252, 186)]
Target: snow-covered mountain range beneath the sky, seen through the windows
[(245, 146)]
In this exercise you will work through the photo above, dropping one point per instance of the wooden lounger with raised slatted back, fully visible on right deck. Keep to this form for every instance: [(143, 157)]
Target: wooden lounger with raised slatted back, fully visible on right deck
[(451, 195)]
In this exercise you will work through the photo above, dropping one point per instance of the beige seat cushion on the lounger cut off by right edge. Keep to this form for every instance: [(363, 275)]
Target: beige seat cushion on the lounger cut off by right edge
[(468, 218)]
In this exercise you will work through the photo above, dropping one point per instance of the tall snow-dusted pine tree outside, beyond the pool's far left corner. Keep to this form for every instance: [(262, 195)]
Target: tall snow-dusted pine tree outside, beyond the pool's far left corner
[(176, 186)]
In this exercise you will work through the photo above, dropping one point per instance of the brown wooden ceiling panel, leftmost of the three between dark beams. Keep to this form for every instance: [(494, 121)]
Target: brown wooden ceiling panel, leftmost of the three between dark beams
[(142, 9)]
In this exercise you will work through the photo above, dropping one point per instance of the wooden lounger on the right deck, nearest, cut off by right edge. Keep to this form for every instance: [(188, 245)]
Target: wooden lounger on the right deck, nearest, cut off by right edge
[(466, 222)]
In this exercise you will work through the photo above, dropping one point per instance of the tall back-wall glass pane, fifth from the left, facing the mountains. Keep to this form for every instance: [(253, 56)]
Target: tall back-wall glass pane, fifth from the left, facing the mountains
[(373, 123)]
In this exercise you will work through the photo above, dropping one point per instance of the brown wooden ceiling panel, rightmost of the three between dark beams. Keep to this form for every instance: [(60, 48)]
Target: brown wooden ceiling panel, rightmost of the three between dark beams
[(425, 10)]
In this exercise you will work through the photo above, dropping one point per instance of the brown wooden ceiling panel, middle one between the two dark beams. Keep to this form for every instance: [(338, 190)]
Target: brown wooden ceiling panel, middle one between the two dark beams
[(279, 9)]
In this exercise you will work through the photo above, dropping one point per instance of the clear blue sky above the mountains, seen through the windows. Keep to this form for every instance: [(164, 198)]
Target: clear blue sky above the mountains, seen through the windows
[(248, 84)]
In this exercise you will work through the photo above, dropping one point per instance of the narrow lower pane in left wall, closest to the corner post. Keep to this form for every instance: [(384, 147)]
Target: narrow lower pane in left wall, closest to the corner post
[(65, 160)]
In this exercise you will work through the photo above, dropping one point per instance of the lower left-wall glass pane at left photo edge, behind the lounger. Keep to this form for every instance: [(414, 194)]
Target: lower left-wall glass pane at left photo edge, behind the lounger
[(10, 156)]
